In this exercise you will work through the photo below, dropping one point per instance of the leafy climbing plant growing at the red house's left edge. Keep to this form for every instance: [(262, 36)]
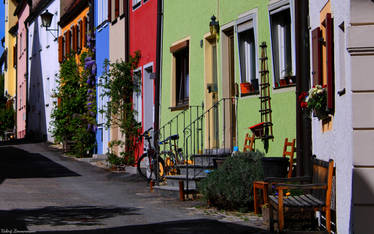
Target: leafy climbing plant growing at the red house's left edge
[(119, 85)]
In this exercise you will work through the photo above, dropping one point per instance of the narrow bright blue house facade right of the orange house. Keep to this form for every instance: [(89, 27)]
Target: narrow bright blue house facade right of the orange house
[(102, 53)]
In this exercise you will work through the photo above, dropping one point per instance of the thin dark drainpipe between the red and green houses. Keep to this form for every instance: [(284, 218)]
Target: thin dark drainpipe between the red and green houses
[(158, 68)]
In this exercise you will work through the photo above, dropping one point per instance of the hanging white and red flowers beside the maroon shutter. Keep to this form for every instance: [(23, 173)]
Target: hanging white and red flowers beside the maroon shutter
[(315, 101)]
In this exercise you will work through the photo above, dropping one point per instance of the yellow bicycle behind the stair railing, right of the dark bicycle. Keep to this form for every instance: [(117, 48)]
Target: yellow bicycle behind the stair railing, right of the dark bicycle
[(173, 156)]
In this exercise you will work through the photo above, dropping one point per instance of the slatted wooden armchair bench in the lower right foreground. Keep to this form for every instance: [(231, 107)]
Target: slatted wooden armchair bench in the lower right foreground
[(318, 199)]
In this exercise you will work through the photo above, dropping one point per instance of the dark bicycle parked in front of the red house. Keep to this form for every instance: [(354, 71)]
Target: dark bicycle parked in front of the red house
[(148, 160)]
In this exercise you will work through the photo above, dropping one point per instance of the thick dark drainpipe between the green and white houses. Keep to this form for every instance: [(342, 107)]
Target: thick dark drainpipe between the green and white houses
[(303, 124)]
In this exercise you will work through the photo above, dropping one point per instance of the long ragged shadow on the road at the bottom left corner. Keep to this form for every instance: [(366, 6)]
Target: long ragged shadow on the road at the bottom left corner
[(20, 219)]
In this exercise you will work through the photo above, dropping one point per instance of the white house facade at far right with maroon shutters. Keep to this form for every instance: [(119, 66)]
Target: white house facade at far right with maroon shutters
[(342, 59)]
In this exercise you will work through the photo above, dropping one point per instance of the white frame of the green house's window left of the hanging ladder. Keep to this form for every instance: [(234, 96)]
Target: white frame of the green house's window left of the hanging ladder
[(243, 20)]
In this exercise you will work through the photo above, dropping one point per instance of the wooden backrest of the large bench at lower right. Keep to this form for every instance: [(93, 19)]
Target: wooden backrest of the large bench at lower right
[(323, 173)]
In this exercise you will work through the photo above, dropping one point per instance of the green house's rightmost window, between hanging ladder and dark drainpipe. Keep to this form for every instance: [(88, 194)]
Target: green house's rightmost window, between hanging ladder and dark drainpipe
[(280, 23)]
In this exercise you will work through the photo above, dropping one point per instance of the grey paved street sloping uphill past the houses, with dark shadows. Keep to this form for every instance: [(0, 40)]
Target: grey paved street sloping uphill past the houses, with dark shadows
[(41, 190)]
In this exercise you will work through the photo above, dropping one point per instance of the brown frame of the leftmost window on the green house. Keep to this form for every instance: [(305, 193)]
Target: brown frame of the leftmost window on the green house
[(175, 101)]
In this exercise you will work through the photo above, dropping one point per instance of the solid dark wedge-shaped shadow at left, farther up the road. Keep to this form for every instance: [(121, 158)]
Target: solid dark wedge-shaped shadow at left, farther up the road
[(17, 163)]
